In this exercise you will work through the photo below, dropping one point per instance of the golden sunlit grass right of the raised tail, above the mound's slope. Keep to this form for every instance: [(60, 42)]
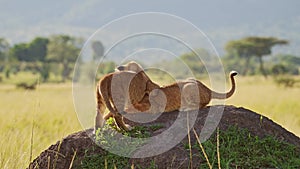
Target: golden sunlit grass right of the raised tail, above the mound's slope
[(263, 96)]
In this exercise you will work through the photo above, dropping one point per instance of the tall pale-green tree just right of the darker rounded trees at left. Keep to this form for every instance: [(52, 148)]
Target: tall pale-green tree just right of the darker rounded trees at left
[(63, 49)]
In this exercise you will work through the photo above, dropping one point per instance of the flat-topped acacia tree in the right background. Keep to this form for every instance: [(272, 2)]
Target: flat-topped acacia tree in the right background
[(254, 46)]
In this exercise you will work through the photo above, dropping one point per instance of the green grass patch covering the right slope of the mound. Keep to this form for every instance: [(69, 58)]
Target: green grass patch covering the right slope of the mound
[(241, 149)]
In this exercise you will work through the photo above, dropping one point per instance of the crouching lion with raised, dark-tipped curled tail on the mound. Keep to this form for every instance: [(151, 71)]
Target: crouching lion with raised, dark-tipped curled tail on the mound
[(182, 95)]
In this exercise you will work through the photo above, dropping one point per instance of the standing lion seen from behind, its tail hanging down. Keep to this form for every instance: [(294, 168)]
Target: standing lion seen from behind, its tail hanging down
[(118, 90)]
